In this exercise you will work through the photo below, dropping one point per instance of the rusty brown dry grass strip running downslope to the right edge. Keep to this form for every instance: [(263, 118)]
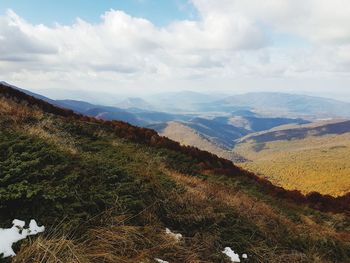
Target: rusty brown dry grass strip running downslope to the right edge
[(270, 221)]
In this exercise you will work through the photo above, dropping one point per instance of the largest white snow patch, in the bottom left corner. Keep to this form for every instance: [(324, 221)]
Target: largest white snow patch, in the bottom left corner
[(17, 232)]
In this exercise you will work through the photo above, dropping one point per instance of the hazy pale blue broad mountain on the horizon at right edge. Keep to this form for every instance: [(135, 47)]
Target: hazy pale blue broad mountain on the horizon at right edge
[(281, 104)]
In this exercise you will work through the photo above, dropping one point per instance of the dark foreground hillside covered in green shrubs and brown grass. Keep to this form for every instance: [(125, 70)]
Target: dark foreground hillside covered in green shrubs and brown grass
[(106, 191)]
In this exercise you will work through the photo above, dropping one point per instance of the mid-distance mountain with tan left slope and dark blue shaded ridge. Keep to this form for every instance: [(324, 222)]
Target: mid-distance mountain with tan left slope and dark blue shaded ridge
[(219, 134)]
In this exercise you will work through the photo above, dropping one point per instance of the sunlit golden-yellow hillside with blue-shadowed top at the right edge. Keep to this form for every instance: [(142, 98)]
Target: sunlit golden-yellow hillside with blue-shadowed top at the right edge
[(309, 158)]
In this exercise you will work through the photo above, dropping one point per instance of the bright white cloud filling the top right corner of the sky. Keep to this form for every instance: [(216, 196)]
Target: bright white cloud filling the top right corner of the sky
[(316, 20)]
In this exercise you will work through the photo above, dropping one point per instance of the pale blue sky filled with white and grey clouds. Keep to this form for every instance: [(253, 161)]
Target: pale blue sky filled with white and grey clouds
[(142, 46)]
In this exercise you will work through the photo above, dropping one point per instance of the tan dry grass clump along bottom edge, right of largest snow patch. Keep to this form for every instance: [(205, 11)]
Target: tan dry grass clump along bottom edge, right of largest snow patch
[(114, 242)]
